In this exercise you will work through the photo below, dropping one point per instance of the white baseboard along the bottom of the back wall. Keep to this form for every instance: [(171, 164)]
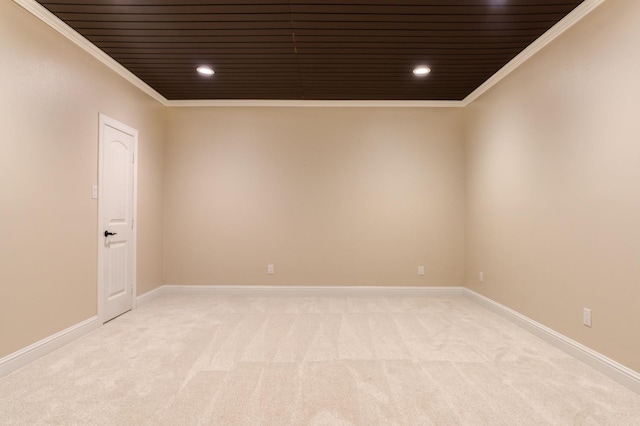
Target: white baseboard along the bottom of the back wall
[(316, 291)]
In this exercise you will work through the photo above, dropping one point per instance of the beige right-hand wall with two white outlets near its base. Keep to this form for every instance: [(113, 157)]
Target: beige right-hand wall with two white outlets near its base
[(553, 180)]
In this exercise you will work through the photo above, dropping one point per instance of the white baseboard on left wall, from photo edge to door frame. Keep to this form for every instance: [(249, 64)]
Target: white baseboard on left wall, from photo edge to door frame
[(49, 344)]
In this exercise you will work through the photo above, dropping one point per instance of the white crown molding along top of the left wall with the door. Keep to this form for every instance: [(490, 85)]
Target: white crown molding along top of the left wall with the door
[(40, 12)]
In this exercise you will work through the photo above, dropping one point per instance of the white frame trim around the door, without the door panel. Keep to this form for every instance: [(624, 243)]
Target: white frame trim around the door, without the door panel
[(108, 121)]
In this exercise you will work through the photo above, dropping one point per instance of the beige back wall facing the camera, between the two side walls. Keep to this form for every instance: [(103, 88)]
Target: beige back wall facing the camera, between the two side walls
[(330, 196)]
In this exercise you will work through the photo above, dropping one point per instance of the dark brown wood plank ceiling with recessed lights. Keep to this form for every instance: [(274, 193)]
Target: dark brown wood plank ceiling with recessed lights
[(312, 49)]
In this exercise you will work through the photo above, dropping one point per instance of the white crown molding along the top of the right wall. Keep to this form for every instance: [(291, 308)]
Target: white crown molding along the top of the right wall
[(564, 24)]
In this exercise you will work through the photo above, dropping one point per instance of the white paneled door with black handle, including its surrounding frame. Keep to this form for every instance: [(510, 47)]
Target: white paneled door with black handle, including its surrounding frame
[(116, 230)]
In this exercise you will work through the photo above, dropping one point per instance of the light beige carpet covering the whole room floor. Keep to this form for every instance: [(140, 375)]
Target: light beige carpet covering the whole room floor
[(187, 360)]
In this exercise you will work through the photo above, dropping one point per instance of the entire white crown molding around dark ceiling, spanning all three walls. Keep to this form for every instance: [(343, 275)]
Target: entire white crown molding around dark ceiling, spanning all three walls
[(54, 22)]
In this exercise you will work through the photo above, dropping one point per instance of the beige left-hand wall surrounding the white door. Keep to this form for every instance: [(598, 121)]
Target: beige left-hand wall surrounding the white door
[(50, 95)]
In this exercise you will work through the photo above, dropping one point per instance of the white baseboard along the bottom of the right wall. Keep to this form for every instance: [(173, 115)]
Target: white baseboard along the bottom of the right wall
[(596, 360)]
